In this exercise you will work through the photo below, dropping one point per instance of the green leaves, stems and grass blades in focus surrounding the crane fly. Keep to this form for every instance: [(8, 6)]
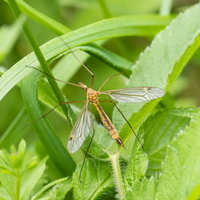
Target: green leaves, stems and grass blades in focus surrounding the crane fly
[(167, 168)]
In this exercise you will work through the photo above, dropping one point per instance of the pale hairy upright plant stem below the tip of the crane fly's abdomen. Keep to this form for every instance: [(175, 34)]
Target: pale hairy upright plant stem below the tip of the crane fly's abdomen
[(117, 174)]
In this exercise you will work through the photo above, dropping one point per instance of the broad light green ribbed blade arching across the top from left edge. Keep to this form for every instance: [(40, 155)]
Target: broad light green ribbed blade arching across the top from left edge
[(129, 25)]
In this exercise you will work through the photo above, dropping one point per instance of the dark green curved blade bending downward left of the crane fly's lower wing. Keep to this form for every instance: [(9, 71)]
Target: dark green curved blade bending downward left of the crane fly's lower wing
[(50, 140)]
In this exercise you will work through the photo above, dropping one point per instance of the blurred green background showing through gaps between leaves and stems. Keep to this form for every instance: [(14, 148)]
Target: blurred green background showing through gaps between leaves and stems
[(75, 14)]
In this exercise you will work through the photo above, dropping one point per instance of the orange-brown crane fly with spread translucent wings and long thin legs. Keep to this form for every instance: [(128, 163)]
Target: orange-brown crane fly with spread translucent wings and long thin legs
[(83, 122)]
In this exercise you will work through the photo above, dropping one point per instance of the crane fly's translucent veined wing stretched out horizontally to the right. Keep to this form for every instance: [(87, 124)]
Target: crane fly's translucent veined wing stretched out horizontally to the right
[(135, 95)]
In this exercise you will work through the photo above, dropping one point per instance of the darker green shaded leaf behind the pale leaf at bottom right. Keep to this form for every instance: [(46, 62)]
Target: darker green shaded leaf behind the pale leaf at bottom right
[(159, 135)]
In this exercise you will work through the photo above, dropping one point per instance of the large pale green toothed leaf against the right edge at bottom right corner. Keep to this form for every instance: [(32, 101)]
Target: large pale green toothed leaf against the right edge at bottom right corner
[(180, 169)]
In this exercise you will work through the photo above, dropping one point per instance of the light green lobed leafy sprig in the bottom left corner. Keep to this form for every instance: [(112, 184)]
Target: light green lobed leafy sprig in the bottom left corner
[(18, 180)]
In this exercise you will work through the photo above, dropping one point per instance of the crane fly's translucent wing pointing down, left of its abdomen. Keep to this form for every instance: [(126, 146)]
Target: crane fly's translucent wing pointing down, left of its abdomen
[(80, 130)]
